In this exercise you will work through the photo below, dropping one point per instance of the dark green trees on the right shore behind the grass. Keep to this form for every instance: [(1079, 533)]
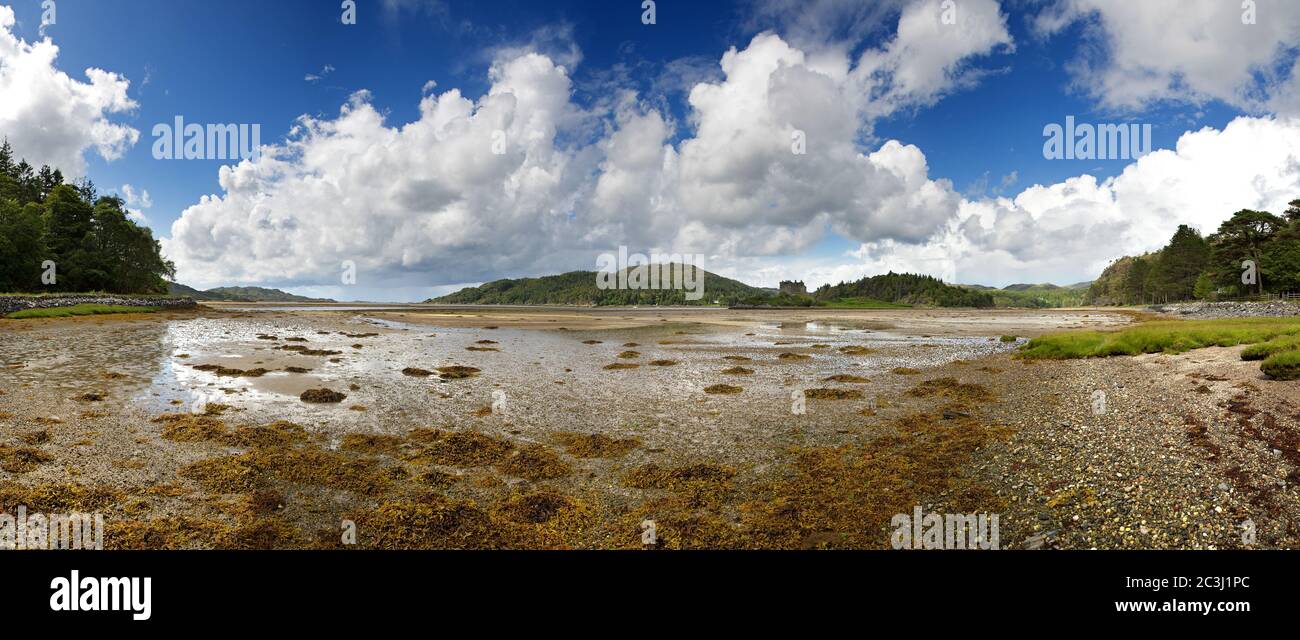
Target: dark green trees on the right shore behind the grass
[(1208, 269)]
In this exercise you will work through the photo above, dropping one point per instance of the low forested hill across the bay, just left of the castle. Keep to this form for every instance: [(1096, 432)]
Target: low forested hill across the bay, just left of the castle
[(580, 288)]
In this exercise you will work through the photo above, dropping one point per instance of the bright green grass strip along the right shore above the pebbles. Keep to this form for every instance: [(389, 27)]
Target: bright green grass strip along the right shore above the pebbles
[(1156, 338)]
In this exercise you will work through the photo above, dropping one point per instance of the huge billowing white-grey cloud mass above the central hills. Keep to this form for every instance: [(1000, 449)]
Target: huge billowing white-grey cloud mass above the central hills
[(434, 202)]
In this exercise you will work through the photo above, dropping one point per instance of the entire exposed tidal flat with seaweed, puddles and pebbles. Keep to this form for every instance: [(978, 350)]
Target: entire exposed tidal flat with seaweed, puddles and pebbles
[(245, 426)]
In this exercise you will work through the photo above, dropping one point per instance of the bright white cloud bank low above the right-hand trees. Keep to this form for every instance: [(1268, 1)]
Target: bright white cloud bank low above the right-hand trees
[(1072, 230)]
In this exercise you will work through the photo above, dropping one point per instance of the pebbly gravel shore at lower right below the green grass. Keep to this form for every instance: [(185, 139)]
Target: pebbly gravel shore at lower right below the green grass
[(1185, 452)]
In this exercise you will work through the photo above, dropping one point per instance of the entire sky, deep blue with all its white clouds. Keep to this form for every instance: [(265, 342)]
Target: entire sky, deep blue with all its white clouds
[(431, 145)]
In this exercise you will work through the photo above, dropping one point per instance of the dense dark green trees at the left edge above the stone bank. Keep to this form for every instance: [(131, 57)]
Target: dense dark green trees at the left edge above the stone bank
[(90, 240)]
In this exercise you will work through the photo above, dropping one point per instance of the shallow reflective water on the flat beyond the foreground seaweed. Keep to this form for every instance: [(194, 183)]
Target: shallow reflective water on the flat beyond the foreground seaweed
[(539, 382)]
